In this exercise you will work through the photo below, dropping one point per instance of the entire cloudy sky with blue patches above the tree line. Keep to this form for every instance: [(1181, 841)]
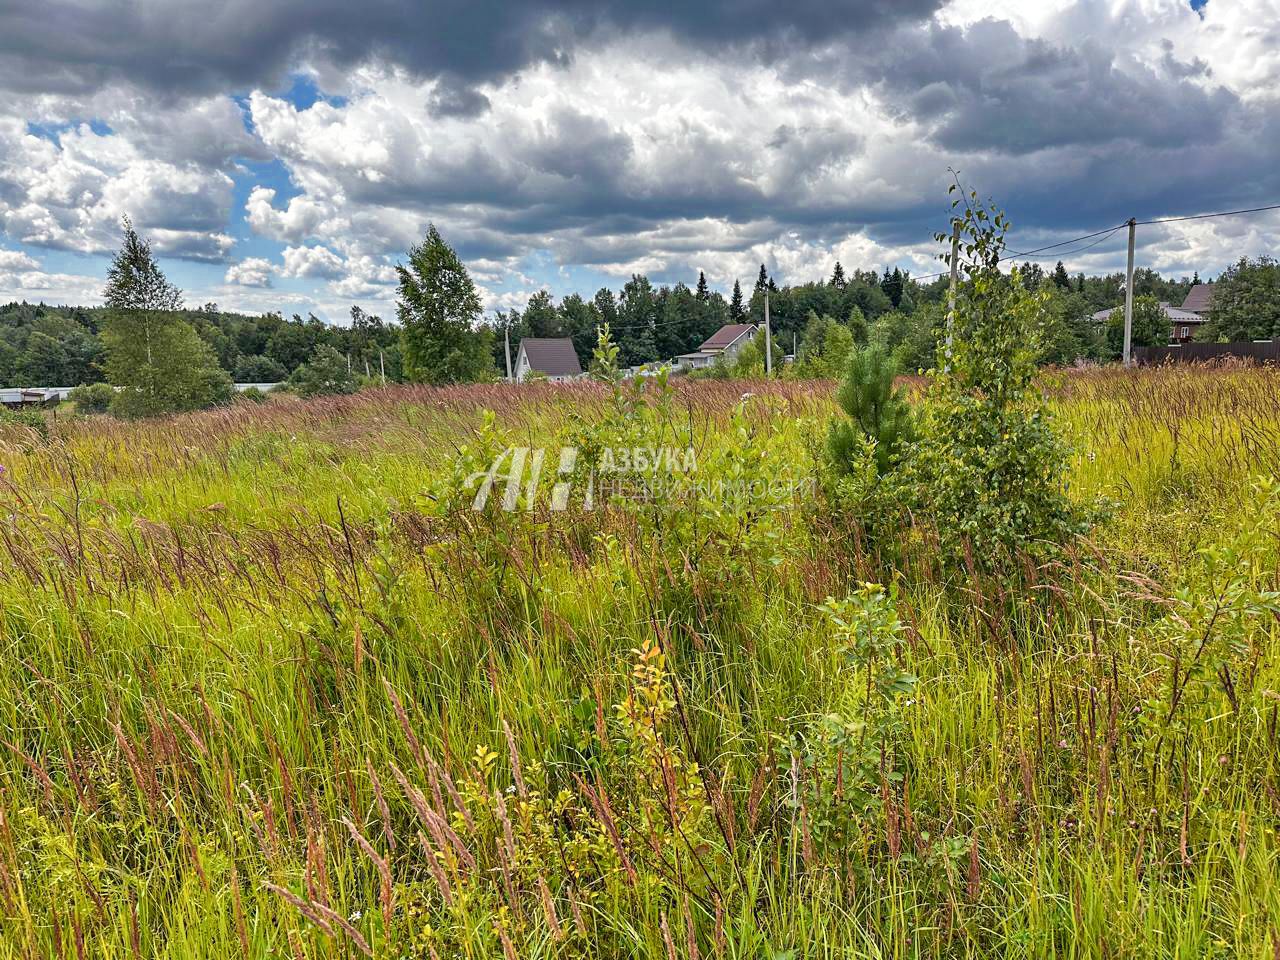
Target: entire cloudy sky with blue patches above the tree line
[(286, 154)]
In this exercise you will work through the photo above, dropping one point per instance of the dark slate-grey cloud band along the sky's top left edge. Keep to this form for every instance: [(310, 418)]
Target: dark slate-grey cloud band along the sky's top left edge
[(194, 47)]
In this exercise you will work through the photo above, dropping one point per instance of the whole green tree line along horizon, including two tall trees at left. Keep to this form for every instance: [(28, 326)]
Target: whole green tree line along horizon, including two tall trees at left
[(163, 356)]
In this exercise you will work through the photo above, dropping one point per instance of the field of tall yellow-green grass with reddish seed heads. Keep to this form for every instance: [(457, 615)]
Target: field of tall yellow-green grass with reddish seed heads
[(272, 688)]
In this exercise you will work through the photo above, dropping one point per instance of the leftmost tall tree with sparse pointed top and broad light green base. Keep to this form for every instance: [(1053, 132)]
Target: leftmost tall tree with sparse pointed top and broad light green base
[(153, 355)]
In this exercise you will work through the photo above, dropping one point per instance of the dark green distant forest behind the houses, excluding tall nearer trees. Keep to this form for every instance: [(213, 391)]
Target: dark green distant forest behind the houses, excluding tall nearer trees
[(60, 346)]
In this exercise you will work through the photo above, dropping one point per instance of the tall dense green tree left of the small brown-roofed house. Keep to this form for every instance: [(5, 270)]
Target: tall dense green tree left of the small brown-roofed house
[(438, 310)]
